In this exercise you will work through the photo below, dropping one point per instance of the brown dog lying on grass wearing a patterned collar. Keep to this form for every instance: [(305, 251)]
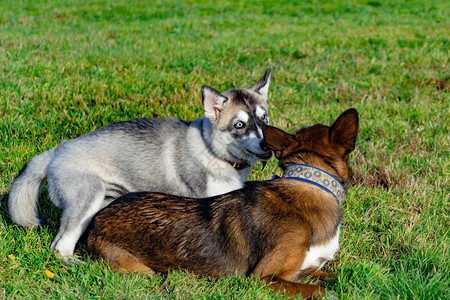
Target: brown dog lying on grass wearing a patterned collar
[(281, 230)]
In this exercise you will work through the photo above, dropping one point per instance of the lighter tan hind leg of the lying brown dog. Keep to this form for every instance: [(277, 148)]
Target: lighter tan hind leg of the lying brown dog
[(121, 260)]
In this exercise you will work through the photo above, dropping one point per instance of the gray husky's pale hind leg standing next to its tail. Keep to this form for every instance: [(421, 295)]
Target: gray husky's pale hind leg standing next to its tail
[(80, 199)]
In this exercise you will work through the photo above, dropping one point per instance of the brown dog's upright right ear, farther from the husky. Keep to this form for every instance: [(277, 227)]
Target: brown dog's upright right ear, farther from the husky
[(345, 130)]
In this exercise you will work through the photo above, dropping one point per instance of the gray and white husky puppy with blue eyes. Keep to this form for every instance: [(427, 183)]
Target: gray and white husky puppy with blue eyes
[(206, 157)]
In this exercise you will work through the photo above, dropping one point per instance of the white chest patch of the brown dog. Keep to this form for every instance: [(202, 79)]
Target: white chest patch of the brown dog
[(317, 256)]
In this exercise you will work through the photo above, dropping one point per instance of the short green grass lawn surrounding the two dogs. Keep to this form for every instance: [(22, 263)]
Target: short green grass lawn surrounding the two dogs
[(70, 67)]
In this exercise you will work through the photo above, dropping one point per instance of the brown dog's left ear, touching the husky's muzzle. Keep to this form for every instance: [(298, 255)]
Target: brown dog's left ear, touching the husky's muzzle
[(277, 140)]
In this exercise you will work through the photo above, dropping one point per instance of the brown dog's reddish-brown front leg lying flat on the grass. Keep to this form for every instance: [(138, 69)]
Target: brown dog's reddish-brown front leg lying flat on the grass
[(293, 288)]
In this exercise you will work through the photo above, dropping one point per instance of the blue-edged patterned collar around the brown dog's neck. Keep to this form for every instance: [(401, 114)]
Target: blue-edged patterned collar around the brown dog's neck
[(317, 177)]
